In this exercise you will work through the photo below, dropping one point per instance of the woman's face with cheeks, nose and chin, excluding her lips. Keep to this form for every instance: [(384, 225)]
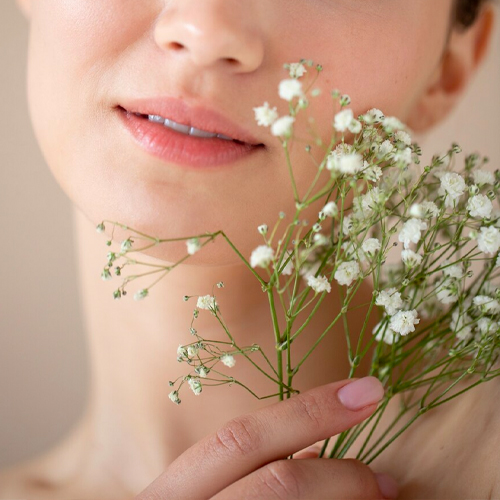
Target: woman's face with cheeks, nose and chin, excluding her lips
[(86, 57)]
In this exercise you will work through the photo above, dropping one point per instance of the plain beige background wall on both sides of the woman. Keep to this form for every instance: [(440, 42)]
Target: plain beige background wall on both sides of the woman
[(43, 360)]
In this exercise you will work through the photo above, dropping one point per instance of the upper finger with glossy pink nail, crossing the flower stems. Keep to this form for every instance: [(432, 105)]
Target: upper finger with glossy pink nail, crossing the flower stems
[(250, 441)]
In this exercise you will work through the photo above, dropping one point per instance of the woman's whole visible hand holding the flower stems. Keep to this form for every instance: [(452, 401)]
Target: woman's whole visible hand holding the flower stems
[(246, 458)]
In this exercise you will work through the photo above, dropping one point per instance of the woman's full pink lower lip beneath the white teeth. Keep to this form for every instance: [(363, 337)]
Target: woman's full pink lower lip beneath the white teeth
[(175, 147)]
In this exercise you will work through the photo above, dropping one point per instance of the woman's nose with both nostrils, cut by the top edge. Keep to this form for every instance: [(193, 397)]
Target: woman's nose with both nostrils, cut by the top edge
[(212, 32)]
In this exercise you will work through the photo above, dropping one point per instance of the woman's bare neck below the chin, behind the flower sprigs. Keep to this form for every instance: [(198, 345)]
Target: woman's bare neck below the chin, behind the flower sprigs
[(133, 351)]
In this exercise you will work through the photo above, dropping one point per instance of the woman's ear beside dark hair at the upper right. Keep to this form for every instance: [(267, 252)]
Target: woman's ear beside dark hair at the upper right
[(463, 56)]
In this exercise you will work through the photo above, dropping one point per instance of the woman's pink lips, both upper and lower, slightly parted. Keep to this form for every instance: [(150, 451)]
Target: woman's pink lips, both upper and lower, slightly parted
[(182, 149)]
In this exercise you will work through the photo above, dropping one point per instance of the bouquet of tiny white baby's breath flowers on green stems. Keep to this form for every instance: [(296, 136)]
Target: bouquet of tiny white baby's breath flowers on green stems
[(438, 319)]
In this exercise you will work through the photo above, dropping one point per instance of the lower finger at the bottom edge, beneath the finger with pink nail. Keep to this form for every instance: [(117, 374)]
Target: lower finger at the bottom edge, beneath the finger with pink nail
[(305, 479)]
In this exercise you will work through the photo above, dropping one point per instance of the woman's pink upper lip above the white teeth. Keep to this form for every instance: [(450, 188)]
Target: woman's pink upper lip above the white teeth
[(196, 116)]
